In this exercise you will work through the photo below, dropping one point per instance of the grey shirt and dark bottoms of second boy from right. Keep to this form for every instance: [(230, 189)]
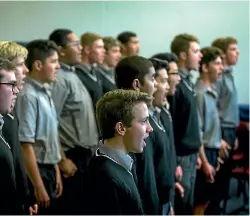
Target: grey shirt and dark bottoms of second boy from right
[(209, 123)]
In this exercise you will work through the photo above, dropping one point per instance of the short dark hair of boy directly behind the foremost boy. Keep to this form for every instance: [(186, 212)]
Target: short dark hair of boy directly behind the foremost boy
[(130, 68)]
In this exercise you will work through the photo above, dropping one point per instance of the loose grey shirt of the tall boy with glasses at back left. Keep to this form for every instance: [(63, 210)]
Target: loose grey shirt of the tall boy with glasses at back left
[(77, 123)]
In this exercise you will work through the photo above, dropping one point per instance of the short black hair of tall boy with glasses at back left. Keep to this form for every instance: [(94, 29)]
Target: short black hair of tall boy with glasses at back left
[(60, 36)]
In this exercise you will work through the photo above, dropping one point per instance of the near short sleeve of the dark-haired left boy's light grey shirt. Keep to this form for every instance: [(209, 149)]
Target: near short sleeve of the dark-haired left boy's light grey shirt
[(26, 109)]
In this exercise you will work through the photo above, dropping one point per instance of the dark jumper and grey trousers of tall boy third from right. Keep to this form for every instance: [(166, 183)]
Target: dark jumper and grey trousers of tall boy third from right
[(187, 139)]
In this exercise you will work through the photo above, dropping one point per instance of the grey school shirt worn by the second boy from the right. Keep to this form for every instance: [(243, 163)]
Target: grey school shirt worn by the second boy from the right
[(209, 122)]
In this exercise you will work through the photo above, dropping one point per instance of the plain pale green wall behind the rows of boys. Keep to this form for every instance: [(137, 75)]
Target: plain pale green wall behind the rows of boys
[(155, 22)]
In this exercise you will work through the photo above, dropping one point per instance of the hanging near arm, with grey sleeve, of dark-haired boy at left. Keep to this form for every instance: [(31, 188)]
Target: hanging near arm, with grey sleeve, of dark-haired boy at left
[(26, 108)]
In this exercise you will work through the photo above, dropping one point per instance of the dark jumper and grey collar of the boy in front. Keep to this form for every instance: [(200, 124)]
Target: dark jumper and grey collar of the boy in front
[(109, 187)]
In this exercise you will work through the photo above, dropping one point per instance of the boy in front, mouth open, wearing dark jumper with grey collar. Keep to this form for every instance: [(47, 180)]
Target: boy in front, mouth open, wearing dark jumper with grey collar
[(109, 186)]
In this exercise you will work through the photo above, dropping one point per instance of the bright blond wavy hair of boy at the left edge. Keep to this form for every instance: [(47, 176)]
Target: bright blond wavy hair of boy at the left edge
[(11, 50)]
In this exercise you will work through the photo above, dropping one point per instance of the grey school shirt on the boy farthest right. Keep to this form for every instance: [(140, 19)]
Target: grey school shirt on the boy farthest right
[(228, 100)]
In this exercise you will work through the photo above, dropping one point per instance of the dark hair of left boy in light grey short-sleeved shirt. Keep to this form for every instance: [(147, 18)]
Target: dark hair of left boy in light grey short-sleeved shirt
[(39, 50)]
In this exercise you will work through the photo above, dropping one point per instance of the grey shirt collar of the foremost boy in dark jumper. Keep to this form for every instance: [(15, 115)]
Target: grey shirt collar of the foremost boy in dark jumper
[(119, 157)]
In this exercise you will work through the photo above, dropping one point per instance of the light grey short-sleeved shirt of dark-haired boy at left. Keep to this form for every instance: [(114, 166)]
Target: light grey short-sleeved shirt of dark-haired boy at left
[(38, 123)]
